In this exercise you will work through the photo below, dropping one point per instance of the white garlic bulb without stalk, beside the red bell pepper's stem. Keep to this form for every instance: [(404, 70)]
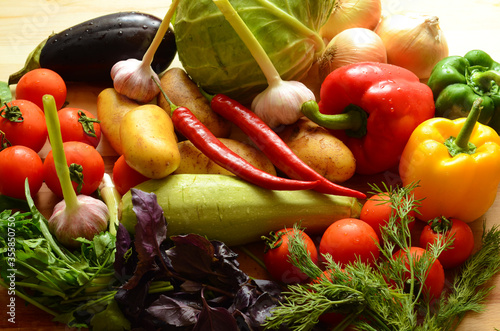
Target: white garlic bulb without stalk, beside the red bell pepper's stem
[(280, 103)]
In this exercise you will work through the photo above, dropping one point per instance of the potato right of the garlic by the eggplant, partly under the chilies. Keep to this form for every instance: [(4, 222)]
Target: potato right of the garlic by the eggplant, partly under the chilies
[(183, 92)]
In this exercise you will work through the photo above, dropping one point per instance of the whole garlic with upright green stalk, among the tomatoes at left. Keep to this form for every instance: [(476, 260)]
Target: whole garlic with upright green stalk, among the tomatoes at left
[(76, 216)]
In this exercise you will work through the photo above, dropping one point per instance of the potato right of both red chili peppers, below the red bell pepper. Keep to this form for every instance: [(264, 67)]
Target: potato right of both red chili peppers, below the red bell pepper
[(317, 147)]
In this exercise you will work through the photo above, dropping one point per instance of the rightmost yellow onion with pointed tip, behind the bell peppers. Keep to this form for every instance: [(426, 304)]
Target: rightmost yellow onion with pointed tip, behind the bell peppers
[(413, 41)]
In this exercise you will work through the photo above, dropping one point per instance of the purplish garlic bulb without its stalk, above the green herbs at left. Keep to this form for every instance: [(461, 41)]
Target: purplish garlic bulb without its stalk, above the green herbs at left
[(88, 218)]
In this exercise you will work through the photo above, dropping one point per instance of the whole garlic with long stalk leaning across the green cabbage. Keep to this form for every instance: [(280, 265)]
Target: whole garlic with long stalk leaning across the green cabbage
[(280, 102)]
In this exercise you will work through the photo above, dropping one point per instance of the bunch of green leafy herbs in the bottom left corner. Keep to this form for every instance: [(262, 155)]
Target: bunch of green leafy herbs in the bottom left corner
[(76, 287)]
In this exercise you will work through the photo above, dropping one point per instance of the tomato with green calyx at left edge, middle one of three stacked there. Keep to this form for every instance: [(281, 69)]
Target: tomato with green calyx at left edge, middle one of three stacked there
[(23, 123)]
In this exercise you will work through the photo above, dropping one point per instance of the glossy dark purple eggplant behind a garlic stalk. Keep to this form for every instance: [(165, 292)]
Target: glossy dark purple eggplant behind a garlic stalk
[(87, 51)]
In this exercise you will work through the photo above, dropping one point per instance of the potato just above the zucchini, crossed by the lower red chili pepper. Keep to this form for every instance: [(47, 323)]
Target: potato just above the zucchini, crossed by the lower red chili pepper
[(193, 161)]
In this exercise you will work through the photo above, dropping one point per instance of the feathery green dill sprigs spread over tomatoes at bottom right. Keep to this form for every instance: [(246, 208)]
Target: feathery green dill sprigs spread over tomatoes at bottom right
[(381, 297)]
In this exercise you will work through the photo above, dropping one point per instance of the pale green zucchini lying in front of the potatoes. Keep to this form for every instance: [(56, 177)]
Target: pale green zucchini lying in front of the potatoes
[(234, 211)]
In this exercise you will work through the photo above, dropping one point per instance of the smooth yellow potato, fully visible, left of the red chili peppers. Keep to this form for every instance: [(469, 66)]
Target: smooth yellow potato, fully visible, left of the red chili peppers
[(149, 142)]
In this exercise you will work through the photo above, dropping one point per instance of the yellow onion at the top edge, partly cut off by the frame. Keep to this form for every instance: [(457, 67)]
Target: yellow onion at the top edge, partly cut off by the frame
[(352, 14)]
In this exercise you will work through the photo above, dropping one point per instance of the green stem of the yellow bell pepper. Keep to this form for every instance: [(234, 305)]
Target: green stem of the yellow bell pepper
[(461, 143)]
